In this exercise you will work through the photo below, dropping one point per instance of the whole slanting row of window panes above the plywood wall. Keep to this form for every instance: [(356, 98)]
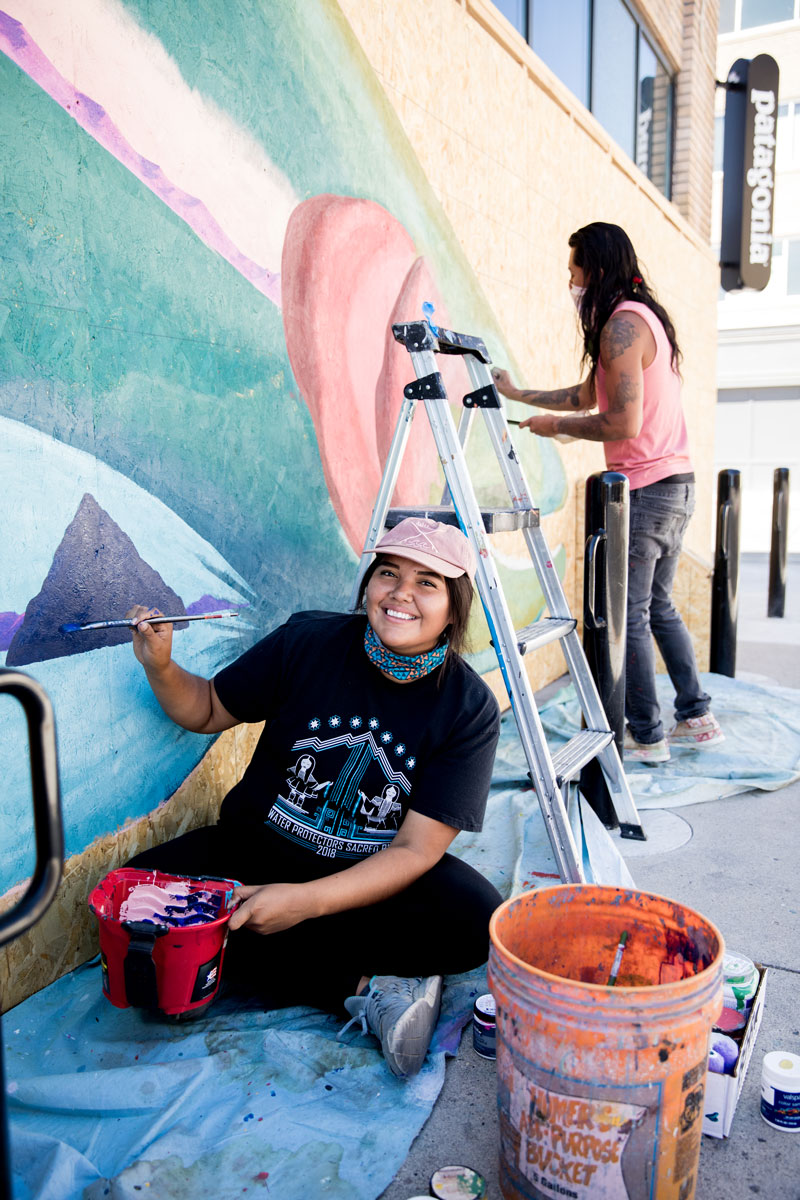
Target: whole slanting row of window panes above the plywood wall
[(611, 64)]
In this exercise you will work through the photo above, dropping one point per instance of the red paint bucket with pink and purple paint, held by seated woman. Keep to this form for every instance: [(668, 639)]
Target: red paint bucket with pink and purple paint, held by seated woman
[(163, 938)]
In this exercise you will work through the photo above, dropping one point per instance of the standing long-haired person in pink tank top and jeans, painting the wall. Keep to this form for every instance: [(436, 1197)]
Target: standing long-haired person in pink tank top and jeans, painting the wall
[(634, 383)]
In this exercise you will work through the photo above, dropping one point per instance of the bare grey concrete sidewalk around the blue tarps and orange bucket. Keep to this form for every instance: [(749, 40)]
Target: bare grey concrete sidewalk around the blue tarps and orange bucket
[(738, 866)]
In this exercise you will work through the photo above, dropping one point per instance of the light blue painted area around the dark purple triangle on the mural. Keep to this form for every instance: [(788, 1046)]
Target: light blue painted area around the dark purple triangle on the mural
[(119, 755)]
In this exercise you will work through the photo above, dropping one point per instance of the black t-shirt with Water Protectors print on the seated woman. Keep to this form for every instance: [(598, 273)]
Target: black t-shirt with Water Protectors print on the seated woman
[(347, 752)]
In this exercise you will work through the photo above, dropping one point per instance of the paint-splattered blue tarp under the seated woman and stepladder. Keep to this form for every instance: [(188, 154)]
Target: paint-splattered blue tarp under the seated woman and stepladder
[(112, 1103)]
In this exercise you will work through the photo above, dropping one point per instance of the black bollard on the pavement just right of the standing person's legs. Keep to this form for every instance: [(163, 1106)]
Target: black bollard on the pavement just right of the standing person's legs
[(725, 587)]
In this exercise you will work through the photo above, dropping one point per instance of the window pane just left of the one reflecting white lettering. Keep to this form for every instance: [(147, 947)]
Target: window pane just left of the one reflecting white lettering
[(613, 71)]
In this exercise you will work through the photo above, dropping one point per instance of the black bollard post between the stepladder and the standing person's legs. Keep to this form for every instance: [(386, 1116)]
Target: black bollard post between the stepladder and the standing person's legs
[(605, 611)]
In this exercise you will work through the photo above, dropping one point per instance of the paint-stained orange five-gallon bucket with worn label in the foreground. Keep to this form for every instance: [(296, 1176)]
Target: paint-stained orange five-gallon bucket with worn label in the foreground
[(601, 1088)]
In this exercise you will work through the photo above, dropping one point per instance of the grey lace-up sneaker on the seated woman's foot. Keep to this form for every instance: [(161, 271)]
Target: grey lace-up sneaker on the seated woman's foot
[(402, 1015)]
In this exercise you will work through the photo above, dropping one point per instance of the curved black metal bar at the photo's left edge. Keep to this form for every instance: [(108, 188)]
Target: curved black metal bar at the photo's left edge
[(50, 847)]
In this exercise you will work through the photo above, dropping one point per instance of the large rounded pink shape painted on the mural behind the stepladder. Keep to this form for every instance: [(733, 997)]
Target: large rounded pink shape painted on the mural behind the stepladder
[(345, 271)]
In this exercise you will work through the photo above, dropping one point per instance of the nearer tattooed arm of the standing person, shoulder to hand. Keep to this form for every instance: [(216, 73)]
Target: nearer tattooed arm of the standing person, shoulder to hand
[(627, 347)]
